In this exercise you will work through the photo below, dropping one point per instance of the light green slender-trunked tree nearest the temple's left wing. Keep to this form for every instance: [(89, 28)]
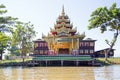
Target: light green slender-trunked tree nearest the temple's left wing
[(22, 37)]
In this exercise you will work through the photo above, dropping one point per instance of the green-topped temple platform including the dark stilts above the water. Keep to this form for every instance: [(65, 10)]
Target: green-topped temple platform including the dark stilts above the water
[(62, 60)]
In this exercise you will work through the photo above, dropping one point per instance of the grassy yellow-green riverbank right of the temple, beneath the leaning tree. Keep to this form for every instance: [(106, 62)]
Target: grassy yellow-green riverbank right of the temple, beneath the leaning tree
[(114, 60)]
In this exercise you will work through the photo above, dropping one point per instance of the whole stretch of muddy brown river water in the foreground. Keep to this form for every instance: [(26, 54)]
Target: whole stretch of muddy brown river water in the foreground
[(61, 73)]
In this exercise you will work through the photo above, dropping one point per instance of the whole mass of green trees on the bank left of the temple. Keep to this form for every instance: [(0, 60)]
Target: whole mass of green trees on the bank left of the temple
[(15, 34)]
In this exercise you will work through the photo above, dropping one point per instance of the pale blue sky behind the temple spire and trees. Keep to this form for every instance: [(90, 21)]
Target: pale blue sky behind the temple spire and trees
[(44, 13)]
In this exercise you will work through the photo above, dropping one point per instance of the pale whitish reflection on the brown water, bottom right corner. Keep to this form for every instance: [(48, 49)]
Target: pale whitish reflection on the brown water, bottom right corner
[(107, 73)]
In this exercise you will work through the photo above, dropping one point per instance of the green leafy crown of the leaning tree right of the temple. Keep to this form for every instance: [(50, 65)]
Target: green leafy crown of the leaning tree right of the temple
[(102, 17)]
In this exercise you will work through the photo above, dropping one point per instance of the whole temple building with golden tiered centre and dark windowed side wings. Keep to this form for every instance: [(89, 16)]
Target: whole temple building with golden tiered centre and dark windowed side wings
[(63, 39)]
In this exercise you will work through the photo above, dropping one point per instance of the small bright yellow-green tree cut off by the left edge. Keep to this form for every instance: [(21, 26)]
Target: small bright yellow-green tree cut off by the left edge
[(3, 43)]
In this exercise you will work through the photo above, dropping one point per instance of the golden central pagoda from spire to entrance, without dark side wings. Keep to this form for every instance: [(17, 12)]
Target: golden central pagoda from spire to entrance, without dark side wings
[(63, 38)]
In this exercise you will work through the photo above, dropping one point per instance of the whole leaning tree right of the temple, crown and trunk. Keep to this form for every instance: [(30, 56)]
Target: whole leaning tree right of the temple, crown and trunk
[(107, 19)]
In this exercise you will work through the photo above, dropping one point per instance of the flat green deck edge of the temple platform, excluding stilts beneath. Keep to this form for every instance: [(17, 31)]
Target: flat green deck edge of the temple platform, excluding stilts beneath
[(65, 57)]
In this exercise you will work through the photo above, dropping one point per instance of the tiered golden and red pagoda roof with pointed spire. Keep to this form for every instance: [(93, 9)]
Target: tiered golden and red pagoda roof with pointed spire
[(63, 27)]
